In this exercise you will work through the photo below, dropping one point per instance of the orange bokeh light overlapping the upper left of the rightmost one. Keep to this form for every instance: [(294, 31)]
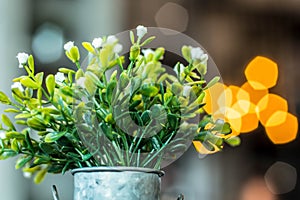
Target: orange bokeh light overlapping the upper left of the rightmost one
[(268, 105)]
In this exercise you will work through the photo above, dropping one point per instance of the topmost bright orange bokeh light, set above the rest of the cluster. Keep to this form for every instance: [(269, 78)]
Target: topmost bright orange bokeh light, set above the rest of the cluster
[(262, 73)]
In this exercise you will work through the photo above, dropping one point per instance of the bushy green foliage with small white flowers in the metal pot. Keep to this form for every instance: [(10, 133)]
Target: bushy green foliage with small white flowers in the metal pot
[(118, 111)]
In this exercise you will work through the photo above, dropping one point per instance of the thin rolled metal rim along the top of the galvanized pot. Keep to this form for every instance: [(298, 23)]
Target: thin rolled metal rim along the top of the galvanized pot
[(160, 173)]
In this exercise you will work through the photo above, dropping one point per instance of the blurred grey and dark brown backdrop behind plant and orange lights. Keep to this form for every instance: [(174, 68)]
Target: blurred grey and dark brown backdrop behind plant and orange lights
[(232, 31)]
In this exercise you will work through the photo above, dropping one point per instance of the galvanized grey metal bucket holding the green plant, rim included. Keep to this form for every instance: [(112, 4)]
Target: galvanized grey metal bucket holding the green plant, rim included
[(116, 183)]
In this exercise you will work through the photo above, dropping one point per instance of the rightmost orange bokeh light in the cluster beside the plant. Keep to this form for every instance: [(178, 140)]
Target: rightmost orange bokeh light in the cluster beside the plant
[(284, 132)]
